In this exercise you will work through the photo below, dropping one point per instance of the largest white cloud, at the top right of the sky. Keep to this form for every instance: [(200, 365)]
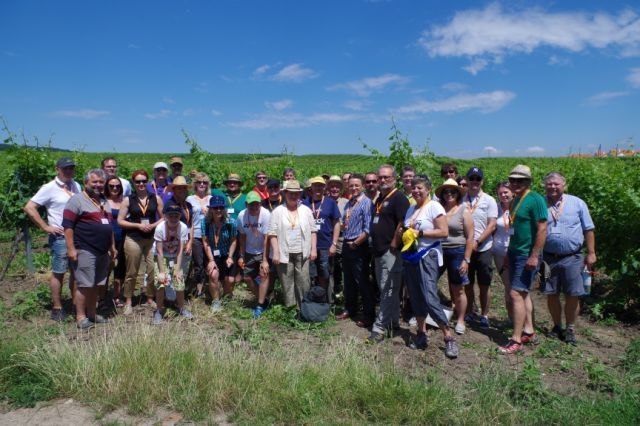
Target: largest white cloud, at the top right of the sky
[(489, 34)]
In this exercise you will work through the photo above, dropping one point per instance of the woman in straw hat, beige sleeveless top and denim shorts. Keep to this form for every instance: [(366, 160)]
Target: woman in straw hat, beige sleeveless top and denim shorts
[(458, 246)]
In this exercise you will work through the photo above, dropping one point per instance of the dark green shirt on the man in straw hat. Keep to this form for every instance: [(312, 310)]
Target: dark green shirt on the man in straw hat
[(532, 210)]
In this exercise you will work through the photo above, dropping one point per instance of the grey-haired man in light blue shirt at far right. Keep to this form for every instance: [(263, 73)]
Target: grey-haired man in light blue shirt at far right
[(569, 227)]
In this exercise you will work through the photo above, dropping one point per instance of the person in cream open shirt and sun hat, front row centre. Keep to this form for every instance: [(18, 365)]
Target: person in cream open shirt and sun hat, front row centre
[(293, 243)]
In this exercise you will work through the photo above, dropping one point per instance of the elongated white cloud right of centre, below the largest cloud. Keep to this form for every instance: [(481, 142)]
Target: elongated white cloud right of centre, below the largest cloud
[(483, 102)]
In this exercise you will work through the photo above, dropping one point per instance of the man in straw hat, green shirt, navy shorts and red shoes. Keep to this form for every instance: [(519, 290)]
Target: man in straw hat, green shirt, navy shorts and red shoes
[(528, 229)]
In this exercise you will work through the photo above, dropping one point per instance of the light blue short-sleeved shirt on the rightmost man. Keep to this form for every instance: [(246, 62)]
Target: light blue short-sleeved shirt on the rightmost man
[(567, 221)]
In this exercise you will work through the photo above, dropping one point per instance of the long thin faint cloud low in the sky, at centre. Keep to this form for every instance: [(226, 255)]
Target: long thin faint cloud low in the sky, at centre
[(293, 120)]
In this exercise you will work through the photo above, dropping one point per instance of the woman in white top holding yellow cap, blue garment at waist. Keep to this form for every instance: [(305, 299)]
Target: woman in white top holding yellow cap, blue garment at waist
[(425, 227)]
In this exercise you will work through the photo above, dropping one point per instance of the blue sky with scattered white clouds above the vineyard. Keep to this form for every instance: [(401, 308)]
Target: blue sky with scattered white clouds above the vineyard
[(471, 78)]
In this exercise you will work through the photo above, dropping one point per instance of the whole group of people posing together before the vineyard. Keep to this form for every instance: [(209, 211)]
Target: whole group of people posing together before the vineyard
[(376, 242)]
